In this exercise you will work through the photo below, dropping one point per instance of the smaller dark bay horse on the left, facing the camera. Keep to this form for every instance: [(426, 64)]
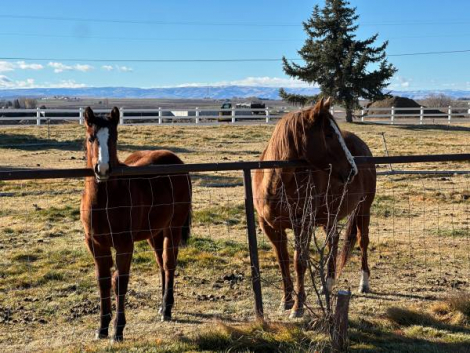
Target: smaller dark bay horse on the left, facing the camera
[(117, 211)]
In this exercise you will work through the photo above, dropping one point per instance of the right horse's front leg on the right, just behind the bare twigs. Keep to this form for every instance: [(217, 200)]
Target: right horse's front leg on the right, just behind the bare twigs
[(301, 259)]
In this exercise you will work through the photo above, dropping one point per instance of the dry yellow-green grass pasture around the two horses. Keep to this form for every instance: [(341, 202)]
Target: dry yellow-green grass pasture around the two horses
[(419, 251)]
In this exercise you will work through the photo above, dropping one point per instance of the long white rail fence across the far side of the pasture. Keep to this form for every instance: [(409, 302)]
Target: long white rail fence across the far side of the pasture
[(213, 116)]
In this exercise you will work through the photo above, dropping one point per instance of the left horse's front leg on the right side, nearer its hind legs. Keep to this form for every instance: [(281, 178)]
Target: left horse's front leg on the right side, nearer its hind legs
[(120, 283)]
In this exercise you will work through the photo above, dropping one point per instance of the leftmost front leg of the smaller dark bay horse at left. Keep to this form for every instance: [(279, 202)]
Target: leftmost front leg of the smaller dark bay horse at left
[(103, 263)]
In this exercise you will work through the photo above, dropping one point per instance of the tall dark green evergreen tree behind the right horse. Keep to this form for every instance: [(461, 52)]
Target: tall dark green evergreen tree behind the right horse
[(337, 61)]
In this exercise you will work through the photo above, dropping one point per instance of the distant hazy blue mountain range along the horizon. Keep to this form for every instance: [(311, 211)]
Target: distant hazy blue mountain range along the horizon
[(189, 92)]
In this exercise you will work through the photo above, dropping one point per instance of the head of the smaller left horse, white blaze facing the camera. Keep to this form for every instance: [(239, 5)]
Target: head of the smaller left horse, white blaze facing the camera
[(101, 141)]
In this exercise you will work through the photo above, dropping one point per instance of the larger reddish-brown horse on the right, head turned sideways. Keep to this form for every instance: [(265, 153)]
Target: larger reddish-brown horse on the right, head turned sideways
[(329, 189)]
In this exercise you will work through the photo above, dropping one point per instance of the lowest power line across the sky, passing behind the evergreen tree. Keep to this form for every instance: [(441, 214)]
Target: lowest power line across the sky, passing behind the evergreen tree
[(208, 60)]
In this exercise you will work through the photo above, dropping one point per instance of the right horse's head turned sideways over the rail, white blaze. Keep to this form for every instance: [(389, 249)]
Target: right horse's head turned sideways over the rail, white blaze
[(325, 147)]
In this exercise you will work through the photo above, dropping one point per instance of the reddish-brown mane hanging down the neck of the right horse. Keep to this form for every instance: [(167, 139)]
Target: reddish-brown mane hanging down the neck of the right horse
[(289, 136)]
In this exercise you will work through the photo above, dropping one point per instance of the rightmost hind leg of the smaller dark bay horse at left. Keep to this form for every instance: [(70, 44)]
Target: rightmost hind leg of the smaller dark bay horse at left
[(171, 242)]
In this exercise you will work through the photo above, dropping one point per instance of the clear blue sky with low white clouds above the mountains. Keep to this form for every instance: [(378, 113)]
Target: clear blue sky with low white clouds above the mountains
[(99, 43)]
